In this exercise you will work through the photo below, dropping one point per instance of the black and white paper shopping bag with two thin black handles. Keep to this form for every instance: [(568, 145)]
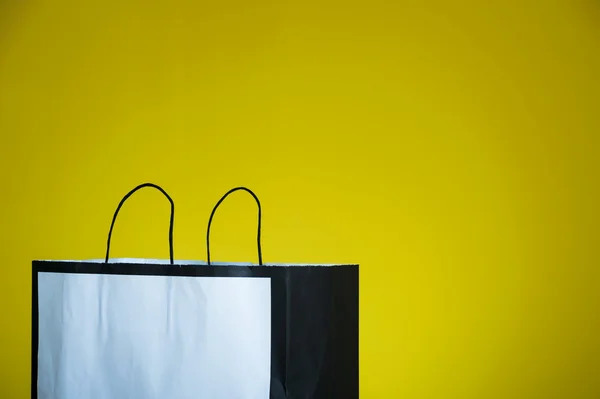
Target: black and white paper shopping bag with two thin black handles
[(203, 330)]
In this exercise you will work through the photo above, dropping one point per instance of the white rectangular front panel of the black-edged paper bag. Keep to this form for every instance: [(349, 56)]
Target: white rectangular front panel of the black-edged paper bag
[(153, 337)]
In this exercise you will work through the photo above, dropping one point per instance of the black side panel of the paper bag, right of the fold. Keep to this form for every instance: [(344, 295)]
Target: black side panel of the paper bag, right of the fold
[(322, 351)]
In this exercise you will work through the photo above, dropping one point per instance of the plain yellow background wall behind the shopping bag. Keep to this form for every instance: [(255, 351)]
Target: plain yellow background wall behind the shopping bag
[(449, 148)]
